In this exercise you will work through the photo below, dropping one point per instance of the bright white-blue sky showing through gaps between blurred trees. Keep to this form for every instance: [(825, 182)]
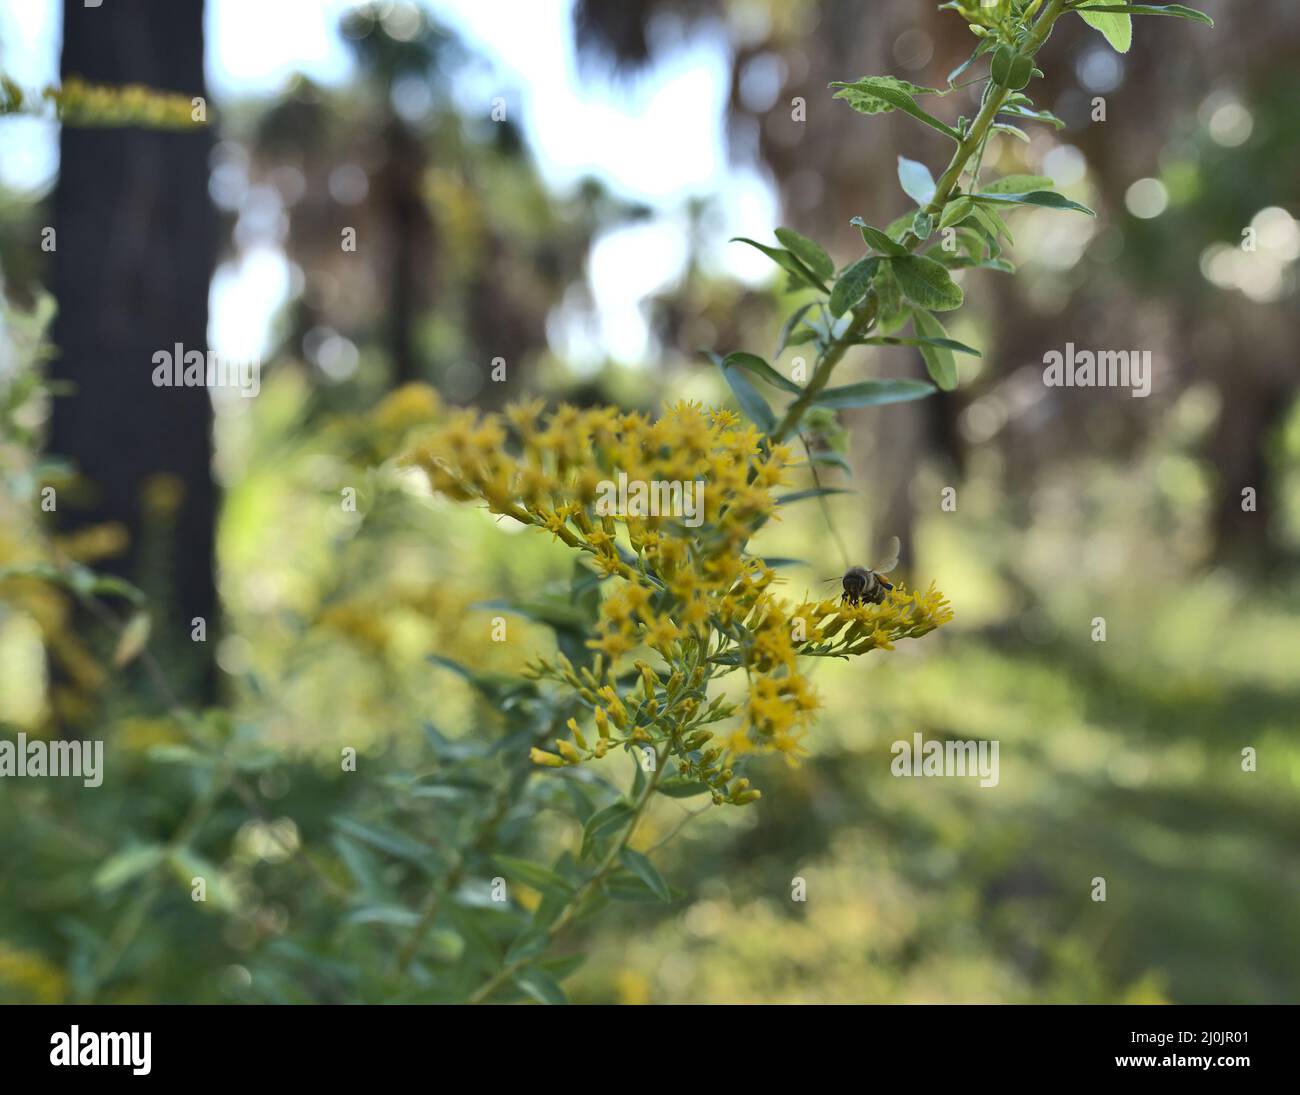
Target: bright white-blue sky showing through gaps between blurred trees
[(657, 139)]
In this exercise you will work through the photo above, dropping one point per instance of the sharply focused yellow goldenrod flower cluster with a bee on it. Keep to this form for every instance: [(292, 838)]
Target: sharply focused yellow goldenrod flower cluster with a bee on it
[(688, 588)]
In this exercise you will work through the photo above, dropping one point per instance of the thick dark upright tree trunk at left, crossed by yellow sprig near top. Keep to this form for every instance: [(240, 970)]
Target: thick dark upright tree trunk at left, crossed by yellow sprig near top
[(135, 258)]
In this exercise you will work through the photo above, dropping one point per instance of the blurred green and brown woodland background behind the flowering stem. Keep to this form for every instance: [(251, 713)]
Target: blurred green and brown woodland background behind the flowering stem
[(1120, 759)]
